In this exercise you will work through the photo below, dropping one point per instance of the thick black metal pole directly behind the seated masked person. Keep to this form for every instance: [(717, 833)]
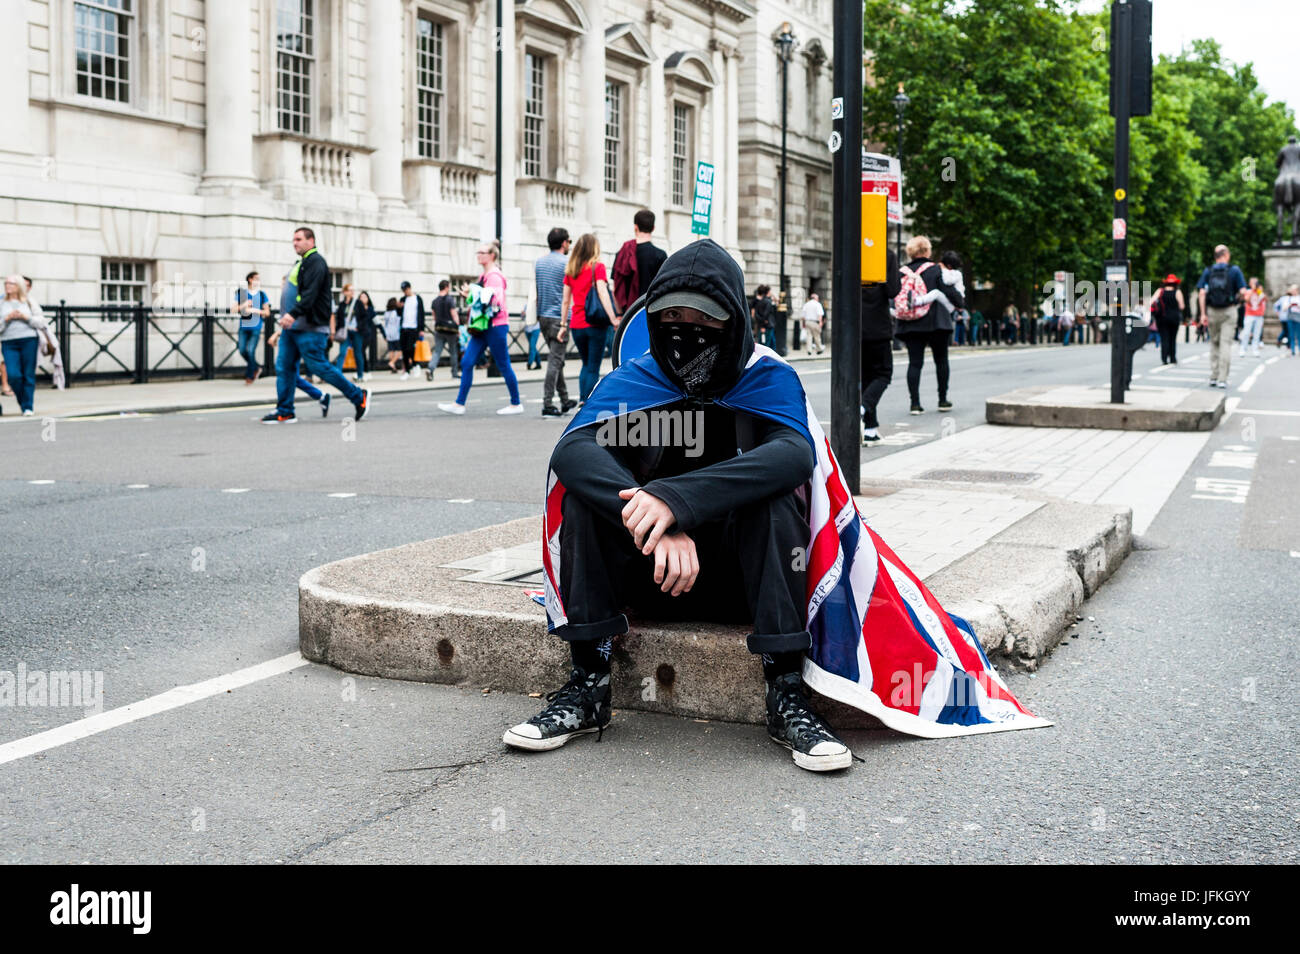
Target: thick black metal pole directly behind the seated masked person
[(847, 246)]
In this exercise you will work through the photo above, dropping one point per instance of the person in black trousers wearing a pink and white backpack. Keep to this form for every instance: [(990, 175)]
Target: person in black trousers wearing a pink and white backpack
[(926, 319)]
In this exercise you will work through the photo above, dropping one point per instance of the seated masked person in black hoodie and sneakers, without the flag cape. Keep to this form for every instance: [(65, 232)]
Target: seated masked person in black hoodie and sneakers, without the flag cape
[(687, 528)]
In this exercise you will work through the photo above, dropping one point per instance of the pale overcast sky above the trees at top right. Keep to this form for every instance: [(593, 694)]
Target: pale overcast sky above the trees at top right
[(1262, 32)]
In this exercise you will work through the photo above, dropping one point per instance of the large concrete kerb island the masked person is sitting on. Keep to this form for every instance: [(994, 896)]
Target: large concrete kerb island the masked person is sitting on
[(454, 612)]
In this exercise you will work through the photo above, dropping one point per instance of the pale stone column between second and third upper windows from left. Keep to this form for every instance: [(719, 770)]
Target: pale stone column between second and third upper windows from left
[(385, 85)]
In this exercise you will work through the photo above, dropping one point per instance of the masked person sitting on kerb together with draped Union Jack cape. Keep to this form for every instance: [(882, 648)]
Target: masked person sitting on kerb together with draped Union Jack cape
[(709, 521)]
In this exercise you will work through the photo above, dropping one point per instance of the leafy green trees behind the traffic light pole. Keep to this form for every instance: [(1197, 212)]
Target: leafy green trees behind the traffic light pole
[(1008, 145)]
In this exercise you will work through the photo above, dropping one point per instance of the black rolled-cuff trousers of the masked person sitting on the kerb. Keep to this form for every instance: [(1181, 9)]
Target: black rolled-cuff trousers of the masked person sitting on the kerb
[(752, 570)]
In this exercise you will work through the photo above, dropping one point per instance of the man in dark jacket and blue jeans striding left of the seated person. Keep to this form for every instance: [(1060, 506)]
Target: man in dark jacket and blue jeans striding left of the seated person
[(306, 318)]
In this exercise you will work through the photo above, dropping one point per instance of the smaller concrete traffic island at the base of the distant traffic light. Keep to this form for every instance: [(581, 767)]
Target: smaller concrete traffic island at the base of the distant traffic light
[(1145, 409)]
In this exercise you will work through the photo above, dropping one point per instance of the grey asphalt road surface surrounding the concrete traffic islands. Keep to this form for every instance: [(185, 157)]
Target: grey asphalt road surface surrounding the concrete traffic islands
[(1173, 708)]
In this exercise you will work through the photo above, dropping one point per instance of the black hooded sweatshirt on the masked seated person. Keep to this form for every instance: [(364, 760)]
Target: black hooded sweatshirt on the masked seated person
[(697, 487)]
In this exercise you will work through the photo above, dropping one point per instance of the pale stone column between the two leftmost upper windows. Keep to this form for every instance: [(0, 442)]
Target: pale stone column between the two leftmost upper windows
[(228, 140)]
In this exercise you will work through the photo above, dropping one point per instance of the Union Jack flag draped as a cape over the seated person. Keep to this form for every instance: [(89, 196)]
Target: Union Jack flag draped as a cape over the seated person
[(882, 643)]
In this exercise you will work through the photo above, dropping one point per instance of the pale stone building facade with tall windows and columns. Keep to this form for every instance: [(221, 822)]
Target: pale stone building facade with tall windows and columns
[(154, 148)]
